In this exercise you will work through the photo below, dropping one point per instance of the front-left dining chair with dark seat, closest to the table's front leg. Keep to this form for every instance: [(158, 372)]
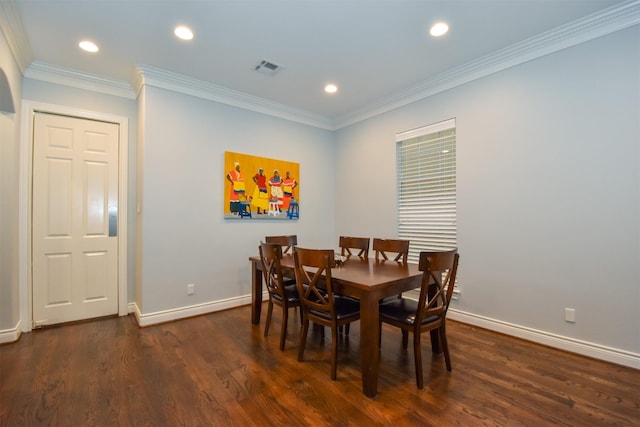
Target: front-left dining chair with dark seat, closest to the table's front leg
[(319, 303)]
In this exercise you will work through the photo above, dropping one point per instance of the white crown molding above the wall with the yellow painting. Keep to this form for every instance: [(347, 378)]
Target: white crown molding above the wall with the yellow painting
[(151, 76)]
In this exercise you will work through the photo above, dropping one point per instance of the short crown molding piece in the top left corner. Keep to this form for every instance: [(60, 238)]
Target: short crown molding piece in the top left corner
[(14, 33)]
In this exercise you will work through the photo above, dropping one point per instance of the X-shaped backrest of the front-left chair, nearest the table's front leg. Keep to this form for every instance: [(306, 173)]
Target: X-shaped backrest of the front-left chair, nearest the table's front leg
[(313, 277)]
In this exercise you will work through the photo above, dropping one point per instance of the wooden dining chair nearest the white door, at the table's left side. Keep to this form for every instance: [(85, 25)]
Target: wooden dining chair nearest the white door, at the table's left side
[(282, 292)]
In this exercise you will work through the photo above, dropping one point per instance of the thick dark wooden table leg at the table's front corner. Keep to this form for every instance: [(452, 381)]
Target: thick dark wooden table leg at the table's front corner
[(369, 346)]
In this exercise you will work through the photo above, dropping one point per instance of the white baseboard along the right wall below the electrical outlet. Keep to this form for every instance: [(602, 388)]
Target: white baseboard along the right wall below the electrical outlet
[(584, 348)]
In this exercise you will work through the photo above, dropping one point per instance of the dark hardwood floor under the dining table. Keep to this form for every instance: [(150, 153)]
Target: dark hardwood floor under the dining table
[(218, 369)]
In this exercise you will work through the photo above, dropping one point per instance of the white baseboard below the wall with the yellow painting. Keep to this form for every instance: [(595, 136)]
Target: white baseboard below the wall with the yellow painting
[(149, 319)]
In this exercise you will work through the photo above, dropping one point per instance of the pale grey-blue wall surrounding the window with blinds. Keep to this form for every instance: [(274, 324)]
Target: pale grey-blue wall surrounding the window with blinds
[(548, 189)]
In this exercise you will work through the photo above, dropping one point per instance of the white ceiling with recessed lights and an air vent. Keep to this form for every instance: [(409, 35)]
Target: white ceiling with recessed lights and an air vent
[(371, 49)]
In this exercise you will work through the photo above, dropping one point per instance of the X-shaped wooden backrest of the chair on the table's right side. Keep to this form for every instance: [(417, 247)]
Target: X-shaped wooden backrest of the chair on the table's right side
[(439, 270)]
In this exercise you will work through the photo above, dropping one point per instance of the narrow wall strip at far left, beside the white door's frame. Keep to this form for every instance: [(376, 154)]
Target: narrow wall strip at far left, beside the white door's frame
[(9, 172)]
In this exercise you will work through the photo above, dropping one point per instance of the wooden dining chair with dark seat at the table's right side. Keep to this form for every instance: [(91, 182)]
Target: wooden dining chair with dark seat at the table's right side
[(430, 311)]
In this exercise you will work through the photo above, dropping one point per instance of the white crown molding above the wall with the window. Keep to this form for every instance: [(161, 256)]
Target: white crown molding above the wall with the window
[(591, 27)]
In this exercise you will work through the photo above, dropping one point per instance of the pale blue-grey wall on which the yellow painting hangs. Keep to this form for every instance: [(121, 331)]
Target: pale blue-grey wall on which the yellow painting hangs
[(184, 238)]
